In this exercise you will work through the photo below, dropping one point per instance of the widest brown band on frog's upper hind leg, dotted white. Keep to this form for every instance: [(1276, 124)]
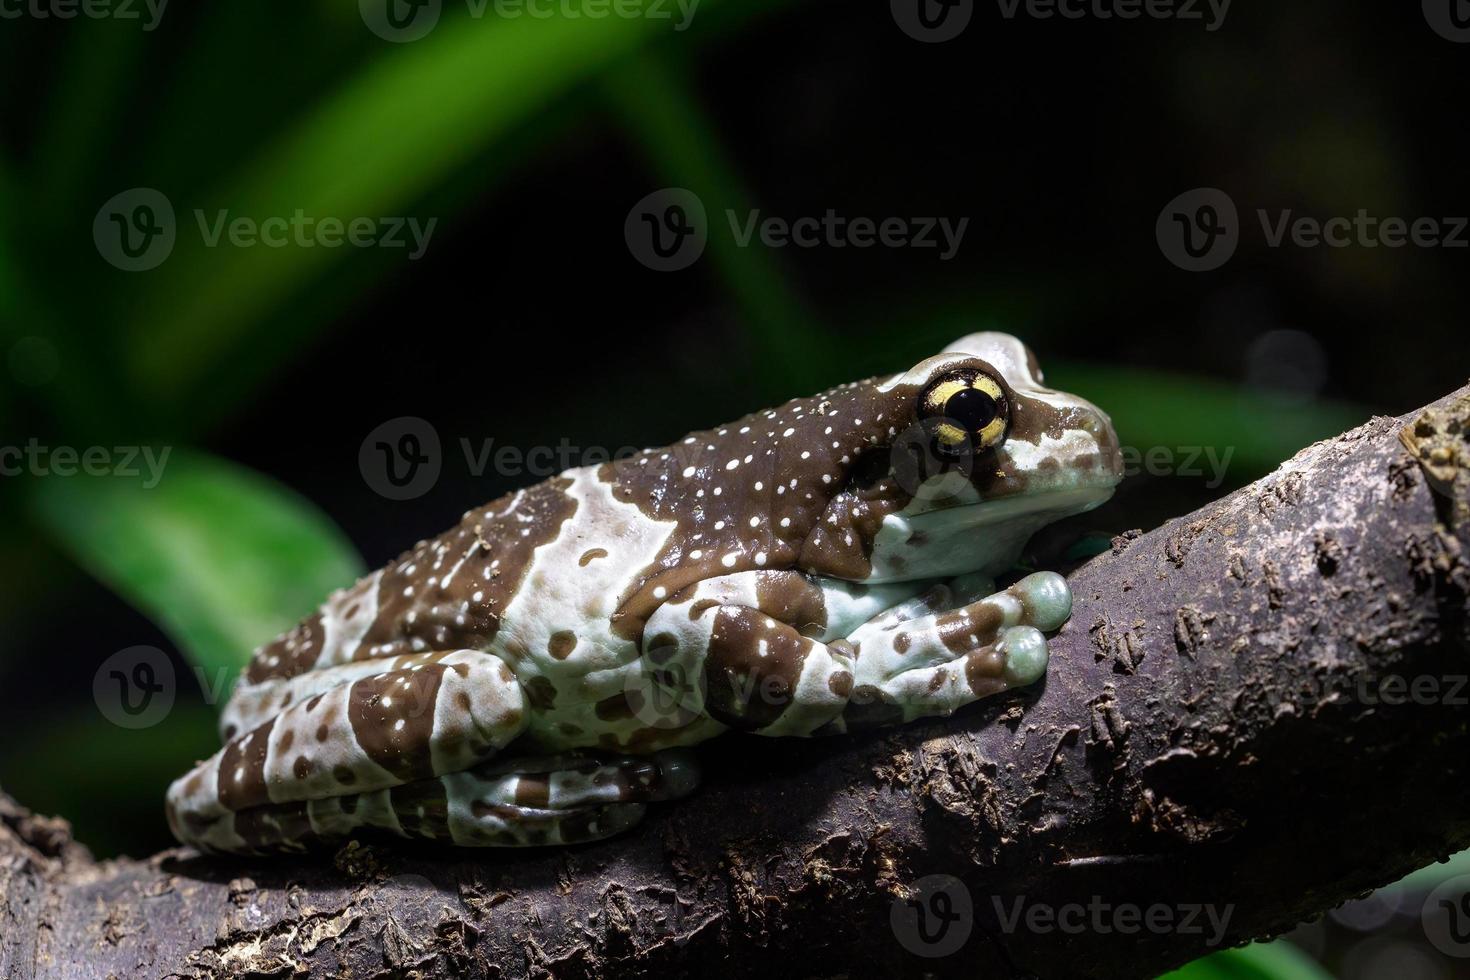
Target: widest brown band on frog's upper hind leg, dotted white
[(376, 715)]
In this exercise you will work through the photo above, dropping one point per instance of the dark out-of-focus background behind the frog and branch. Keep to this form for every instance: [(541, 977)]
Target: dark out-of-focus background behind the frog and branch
[(528, 320)]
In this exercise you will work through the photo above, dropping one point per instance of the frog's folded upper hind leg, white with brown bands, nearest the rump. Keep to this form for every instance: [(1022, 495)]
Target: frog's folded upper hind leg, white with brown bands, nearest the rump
[(371, 727)]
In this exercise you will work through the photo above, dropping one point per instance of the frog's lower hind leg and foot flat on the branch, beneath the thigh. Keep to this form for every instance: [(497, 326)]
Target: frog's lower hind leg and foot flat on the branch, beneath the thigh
[(515, 803)]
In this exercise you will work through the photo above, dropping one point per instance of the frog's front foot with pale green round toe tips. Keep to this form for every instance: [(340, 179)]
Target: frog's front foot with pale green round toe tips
[(933, 665)]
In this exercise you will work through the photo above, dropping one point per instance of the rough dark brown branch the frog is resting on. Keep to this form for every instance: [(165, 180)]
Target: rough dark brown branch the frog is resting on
[(1221, 727)]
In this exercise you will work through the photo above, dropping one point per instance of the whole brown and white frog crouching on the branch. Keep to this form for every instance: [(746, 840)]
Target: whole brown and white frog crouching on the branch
[(543, 672)]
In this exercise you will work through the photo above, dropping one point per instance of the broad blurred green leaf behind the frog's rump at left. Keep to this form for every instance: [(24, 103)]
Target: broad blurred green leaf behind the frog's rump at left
[(217, 555)]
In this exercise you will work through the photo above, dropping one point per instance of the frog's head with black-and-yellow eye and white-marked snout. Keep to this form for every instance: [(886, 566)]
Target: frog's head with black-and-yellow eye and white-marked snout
[(980, 458)]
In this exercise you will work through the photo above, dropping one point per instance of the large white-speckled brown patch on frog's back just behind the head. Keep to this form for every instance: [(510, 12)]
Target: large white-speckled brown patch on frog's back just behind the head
[(780, 468)]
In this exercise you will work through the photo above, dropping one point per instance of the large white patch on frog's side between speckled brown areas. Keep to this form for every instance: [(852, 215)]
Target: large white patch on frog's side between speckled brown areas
[(562, 593)]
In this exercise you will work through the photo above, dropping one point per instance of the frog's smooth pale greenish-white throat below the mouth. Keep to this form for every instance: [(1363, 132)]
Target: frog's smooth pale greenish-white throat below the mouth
[(977, 538)]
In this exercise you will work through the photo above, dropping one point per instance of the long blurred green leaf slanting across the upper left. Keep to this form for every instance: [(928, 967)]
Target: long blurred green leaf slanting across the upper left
[(368, 151)]
